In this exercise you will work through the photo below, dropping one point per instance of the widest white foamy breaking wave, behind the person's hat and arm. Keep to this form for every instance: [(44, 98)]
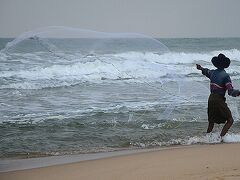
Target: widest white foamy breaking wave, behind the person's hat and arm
[(37, 71)]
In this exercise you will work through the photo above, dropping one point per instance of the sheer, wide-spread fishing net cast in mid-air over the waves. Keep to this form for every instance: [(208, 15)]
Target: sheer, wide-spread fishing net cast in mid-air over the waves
[(134, 67)]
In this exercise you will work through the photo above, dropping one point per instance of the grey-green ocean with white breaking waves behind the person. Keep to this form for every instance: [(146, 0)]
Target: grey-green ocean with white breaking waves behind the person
[(123, 96)]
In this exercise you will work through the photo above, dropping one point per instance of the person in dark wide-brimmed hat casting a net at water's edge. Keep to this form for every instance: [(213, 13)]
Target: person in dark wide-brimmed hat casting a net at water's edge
[(220, 82)]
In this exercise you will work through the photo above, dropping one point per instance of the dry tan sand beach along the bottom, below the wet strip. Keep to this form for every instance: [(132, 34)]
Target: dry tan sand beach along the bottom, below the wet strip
[(218, 161)]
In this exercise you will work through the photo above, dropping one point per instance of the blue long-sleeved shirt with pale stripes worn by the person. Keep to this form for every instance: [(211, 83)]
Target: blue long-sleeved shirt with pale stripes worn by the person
[(220, 82)]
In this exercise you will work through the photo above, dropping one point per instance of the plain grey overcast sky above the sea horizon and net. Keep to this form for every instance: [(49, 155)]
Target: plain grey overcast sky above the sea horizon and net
[(157, 18)]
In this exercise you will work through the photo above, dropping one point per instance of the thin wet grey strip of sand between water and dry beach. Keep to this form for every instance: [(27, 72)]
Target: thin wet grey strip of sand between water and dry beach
[(31, 162)]
